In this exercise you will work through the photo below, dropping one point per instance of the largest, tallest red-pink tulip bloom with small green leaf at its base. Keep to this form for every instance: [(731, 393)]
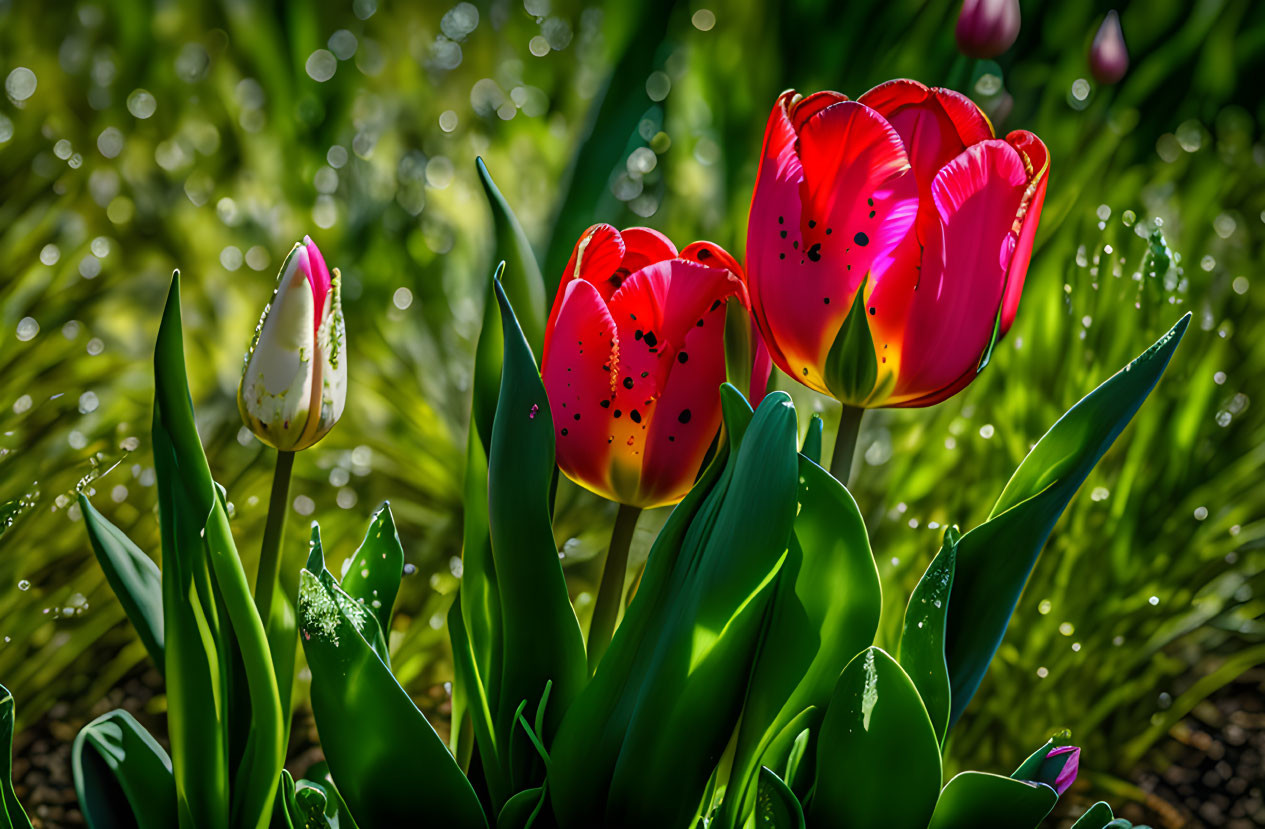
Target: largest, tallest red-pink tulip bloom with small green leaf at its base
[(889, 241)]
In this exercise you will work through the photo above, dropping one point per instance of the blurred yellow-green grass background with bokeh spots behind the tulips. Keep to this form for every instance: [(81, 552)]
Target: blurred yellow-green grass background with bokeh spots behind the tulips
[(141, 137)]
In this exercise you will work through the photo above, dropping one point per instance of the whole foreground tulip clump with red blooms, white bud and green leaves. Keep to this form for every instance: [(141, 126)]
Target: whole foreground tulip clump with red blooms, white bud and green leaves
[(886, 254)]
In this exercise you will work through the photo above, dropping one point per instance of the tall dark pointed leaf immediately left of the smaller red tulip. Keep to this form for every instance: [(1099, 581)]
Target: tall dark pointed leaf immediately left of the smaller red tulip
[(540, 631)]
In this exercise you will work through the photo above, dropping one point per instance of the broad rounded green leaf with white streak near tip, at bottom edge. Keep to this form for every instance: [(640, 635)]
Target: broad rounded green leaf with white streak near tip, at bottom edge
[(879, 759)]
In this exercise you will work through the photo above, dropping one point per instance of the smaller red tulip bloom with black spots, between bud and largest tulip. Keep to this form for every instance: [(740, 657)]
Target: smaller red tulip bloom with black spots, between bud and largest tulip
[(633, 363)]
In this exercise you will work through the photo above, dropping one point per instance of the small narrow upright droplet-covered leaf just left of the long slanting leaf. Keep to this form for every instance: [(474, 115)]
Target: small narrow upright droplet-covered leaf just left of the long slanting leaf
[(923, 640)]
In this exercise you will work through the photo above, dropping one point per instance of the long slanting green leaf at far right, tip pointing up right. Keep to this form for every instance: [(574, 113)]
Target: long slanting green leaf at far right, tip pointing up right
[(995, 559)]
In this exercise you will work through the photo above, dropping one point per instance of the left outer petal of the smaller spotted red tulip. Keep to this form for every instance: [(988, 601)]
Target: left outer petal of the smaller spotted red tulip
[(579, 375)]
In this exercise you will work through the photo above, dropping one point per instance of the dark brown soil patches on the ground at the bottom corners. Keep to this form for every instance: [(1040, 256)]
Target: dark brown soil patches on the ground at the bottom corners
[(1210, 773)]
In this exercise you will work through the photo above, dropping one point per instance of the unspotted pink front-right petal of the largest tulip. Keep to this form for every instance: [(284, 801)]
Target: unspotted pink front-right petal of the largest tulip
[(967, 256)]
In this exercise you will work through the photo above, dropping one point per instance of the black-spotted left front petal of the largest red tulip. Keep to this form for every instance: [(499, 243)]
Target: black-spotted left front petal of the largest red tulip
[(860, 202)]
